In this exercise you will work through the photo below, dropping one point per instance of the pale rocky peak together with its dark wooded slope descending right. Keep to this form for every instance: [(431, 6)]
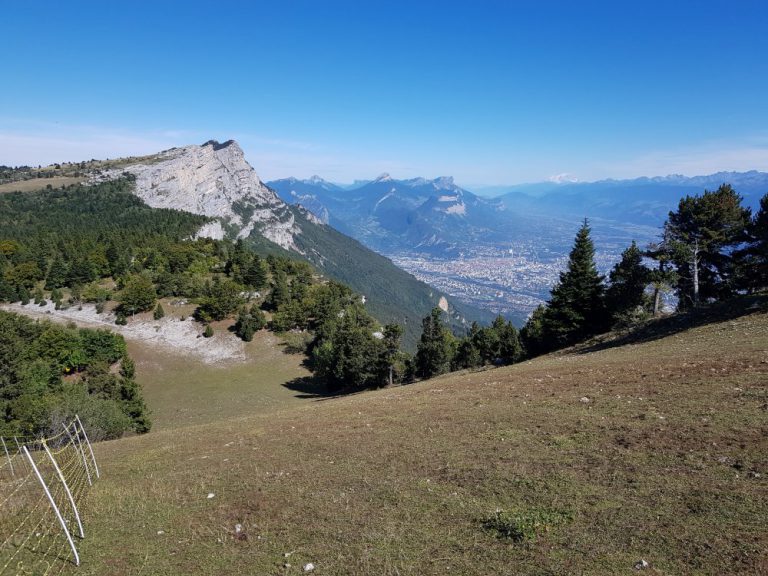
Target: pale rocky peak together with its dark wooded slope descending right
[(215, 180)]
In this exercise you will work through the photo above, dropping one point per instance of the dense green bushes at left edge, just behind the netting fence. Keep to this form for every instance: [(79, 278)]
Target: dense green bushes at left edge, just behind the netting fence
[(51, 372)]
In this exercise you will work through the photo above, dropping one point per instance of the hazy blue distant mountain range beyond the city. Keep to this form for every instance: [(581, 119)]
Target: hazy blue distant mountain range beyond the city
[(439, 218)]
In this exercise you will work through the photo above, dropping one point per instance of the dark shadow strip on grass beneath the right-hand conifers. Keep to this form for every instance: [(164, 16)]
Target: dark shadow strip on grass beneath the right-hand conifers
[(677, 323)]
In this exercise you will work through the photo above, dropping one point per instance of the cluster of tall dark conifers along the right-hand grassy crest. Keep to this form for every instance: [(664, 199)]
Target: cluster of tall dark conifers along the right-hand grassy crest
[(711, 249)]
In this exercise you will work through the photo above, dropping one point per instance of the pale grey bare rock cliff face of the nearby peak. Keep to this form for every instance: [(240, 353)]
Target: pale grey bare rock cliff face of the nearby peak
[(214, 180)]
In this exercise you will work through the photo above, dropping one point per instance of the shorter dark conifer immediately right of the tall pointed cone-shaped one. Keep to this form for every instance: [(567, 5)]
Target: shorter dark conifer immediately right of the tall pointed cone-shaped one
[(628, 280)]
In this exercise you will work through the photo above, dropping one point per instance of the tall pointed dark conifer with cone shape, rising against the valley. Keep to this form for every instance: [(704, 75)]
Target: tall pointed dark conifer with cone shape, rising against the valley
[(576, 308)]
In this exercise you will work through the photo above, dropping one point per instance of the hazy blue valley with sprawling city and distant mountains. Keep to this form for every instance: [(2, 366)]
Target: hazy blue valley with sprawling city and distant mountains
[(503, 250)]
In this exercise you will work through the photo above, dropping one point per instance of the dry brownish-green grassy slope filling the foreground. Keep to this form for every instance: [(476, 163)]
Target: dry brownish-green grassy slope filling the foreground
[(654, 450)]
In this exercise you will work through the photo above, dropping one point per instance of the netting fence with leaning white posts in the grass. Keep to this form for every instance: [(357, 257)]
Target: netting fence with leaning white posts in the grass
[(43, 482)]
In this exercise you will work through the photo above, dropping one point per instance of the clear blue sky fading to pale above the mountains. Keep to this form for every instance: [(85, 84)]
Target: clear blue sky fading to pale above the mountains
[(489, 92)]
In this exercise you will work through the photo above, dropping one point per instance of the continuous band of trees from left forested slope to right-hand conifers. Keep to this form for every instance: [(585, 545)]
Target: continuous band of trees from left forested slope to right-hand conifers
[(100, 243)]
